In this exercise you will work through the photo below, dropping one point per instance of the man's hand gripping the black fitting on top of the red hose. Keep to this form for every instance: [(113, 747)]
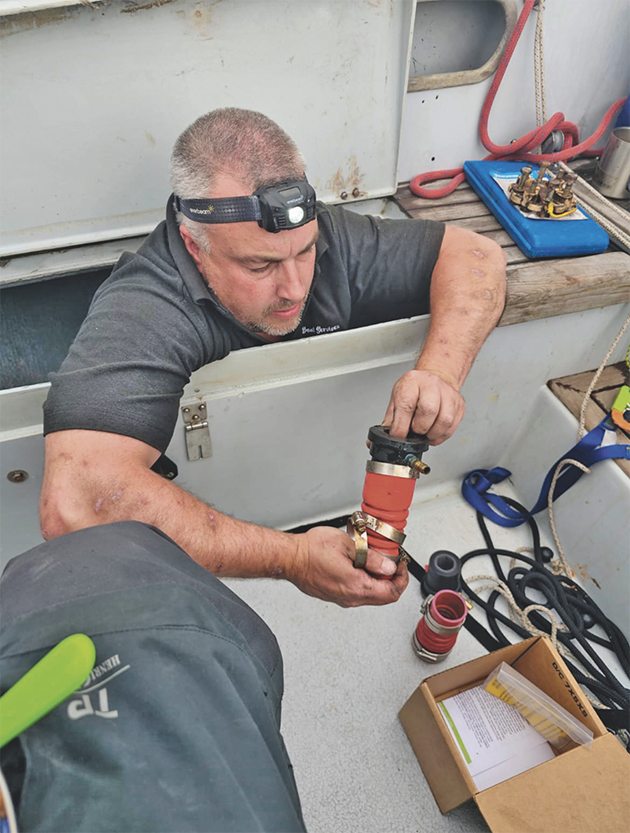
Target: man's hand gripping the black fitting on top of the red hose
[(424, 402)]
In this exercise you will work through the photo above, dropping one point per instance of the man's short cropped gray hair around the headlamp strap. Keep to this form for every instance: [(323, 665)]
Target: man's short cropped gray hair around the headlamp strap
[(244, 144)]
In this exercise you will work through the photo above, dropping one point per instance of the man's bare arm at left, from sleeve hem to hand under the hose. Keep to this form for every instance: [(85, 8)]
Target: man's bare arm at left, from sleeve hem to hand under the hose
[(93, 478)]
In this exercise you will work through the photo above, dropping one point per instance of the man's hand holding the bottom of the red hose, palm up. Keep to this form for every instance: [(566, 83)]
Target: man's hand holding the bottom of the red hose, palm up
[(323, 568)]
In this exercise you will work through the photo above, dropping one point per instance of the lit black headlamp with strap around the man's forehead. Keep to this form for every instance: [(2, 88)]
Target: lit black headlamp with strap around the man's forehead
[(283, 205)]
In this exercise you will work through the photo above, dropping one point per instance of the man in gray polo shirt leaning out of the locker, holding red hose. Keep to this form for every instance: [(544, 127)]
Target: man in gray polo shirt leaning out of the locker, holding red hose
[(194, 292)]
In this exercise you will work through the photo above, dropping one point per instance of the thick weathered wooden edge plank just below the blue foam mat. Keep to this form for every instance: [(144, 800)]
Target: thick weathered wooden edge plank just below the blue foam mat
[(542, 289)]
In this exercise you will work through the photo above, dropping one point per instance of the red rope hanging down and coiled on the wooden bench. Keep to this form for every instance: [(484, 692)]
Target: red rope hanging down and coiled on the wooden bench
[(520, 149)]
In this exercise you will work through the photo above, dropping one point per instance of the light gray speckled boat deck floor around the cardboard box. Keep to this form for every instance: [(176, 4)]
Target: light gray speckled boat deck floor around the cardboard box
[(348, 672)]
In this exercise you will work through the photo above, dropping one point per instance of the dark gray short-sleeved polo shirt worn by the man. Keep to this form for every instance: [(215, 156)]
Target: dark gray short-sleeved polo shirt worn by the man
[(155, 321)]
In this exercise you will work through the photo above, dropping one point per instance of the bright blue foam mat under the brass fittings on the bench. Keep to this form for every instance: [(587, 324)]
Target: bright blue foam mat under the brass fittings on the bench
[(537, 238)]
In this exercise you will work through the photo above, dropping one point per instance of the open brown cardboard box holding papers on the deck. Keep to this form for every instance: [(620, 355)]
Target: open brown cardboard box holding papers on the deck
[(580, 790)]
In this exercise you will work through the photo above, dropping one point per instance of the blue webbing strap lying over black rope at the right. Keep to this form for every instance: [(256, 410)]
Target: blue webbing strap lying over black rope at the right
[(587, 451)]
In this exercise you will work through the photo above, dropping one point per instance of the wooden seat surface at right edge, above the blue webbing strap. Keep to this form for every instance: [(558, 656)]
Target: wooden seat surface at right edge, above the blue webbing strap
[(570, 390)]
